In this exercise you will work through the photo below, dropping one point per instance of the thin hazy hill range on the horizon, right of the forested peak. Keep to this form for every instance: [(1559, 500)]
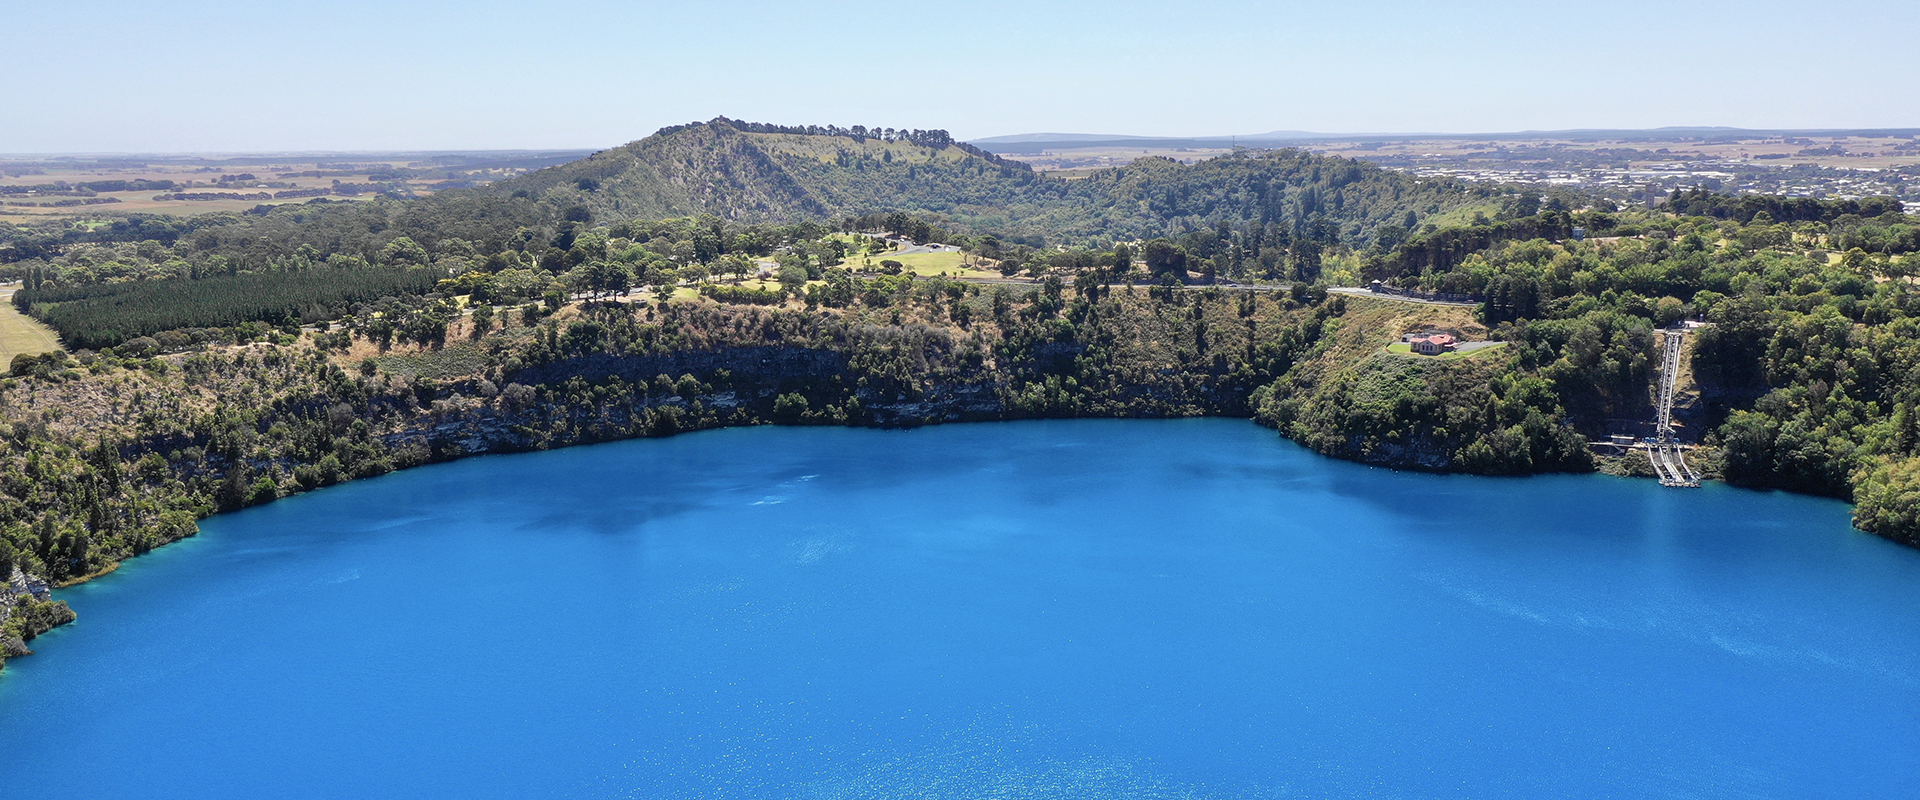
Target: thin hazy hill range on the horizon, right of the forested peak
[(1026, 145)]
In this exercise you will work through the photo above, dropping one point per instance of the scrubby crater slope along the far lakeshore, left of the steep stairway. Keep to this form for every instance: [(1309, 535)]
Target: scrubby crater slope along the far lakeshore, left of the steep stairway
[(178, 438)]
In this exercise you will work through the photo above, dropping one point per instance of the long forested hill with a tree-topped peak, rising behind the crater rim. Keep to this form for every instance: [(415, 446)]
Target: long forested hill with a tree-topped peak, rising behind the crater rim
[(763, 174)]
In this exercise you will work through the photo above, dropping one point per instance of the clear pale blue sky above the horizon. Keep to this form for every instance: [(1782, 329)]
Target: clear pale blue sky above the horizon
[(224, 76)]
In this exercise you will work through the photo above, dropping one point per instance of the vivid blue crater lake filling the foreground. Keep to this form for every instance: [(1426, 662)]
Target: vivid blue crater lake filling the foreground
[(994, 611)]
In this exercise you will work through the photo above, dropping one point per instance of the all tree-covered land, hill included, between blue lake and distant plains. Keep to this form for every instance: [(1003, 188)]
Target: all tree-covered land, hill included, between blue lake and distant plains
[(218, 364)]
